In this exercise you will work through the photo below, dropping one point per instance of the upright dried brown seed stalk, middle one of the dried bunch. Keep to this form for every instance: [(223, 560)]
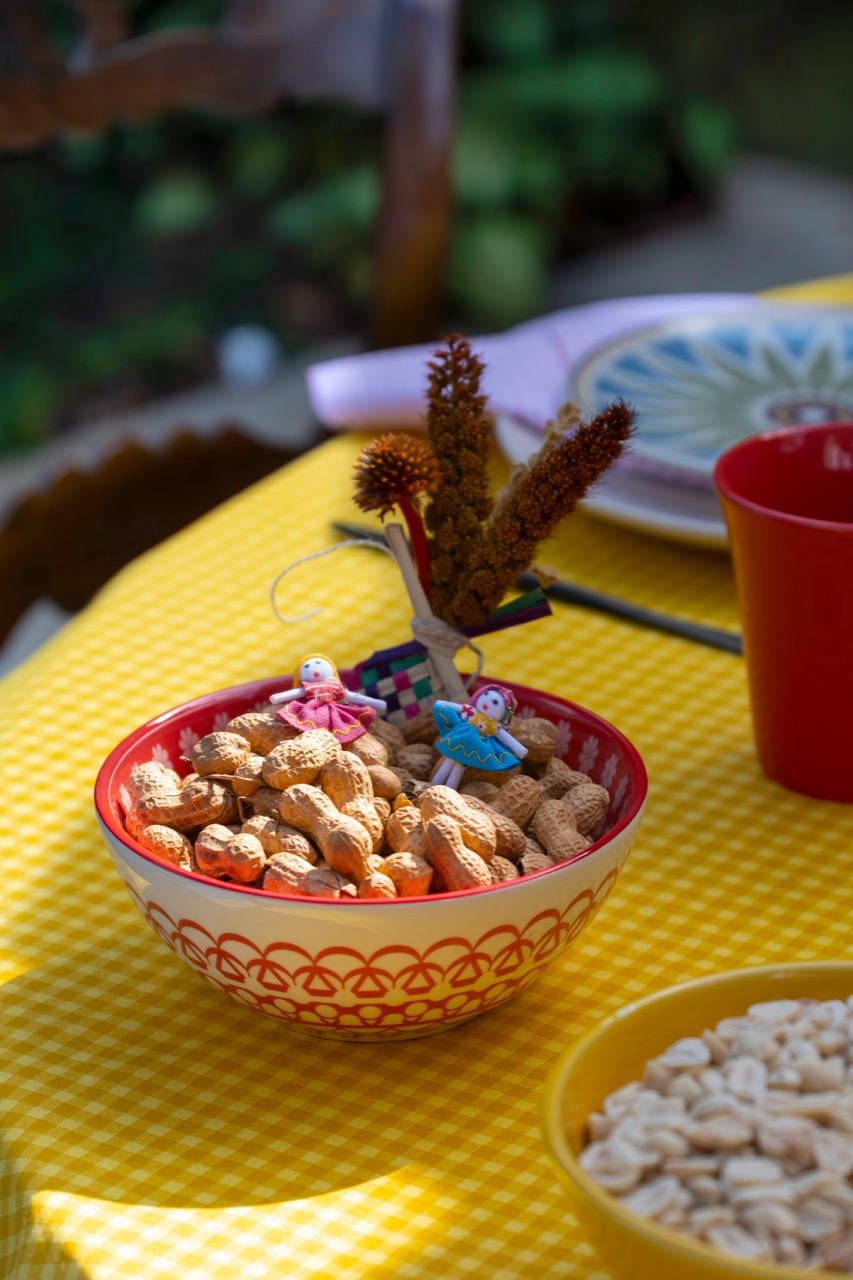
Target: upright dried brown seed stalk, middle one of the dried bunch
[(460, 432)]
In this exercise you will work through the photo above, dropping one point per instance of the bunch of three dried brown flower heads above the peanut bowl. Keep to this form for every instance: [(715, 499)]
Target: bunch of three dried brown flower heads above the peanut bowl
[(478, 546)]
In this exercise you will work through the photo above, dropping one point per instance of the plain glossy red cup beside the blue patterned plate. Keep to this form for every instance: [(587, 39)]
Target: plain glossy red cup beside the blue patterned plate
[(788, 501)]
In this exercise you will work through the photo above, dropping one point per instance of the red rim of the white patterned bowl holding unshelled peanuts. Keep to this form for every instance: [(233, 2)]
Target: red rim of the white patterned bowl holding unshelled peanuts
[(110, 819)]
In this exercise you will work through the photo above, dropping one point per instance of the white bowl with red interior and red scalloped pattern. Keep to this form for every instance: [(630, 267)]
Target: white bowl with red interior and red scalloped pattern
[(367, 970)]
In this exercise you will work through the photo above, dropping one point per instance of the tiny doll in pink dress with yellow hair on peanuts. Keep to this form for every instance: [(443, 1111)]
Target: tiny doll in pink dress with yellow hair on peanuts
[(320, 701)]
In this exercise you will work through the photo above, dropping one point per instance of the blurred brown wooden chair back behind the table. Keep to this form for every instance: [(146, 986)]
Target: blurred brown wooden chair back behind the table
[(389, 57)]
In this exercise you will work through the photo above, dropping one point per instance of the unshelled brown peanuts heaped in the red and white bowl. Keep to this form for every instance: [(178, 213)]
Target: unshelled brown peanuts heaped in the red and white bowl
[(297, 813)]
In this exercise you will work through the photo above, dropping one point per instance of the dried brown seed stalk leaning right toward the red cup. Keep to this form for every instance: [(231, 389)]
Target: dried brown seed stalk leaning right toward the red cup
[(540, 499)]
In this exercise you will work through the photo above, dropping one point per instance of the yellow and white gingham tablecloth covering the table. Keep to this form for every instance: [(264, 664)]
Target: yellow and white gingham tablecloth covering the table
[(150, 1127)]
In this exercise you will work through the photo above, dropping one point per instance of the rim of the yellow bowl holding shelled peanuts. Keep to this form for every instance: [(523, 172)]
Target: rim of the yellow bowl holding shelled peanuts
[(668, 1241)]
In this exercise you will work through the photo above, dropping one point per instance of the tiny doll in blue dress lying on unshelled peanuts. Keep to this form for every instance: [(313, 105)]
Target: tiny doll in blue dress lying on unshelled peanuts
[(476, 734)]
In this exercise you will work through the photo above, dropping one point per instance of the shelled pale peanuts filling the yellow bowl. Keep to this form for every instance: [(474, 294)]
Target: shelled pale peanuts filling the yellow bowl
[(743, 1137)]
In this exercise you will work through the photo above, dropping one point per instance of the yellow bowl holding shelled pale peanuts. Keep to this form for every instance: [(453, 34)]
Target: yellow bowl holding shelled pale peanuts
[(615, 1053)]
